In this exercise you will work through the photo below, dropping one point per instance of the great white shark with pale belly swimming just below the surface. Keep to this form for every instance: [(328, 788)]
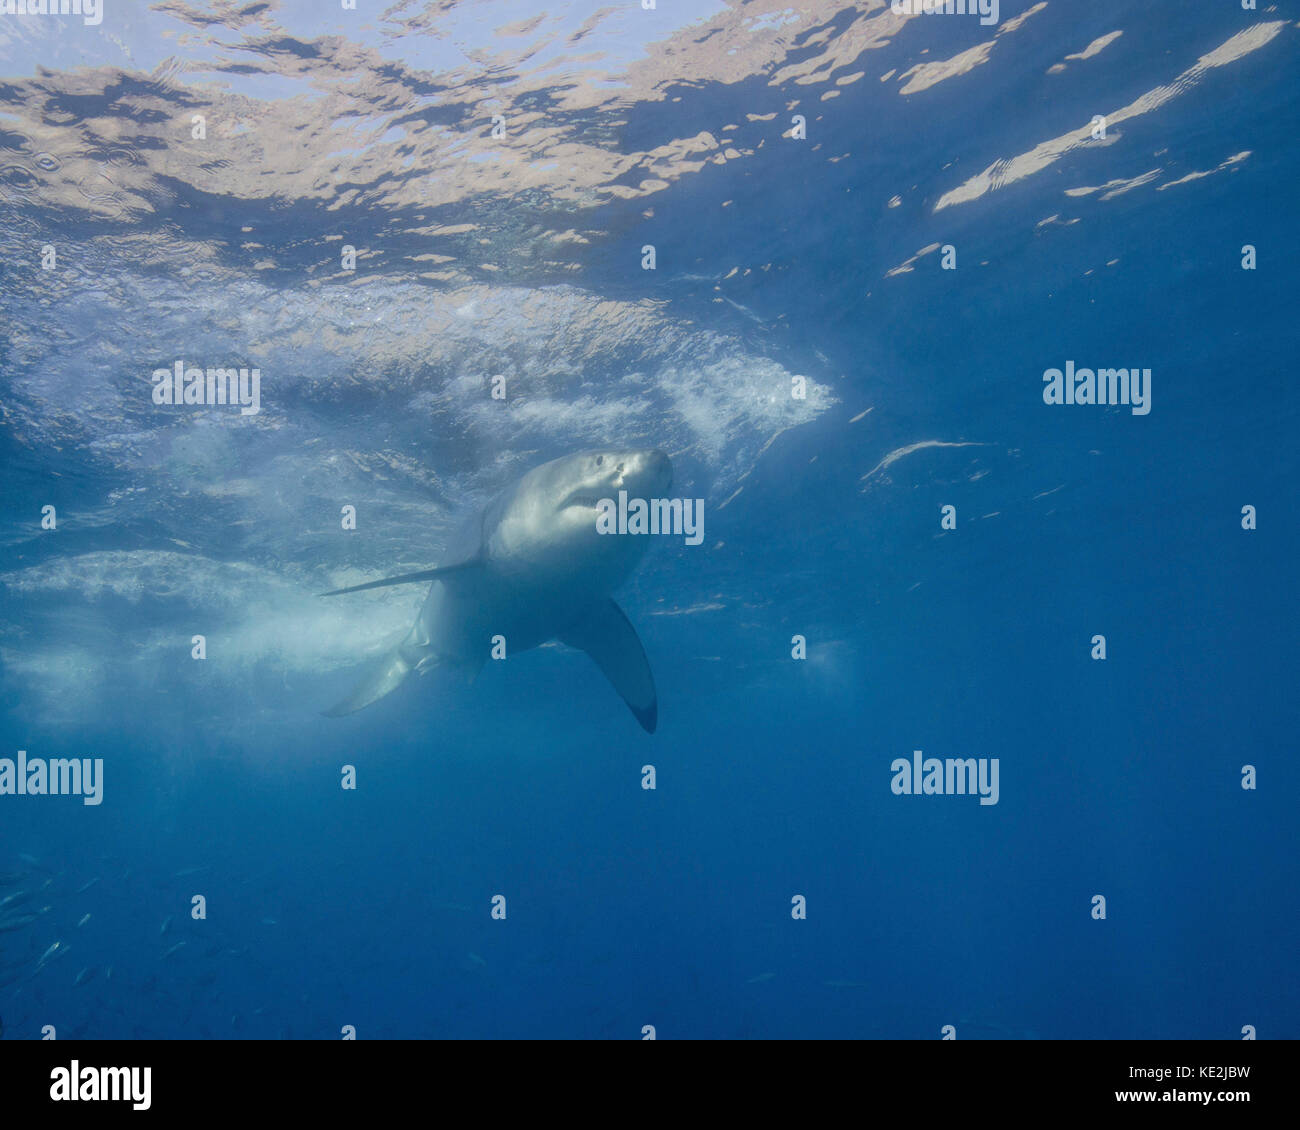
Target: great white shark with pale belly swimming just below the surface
[(532, 568)]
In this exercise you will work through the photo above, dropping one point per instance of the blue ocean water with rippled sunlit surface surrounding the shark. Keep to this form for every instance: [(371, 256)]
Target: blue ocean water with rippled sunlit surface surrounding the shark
[(920, 217)]
